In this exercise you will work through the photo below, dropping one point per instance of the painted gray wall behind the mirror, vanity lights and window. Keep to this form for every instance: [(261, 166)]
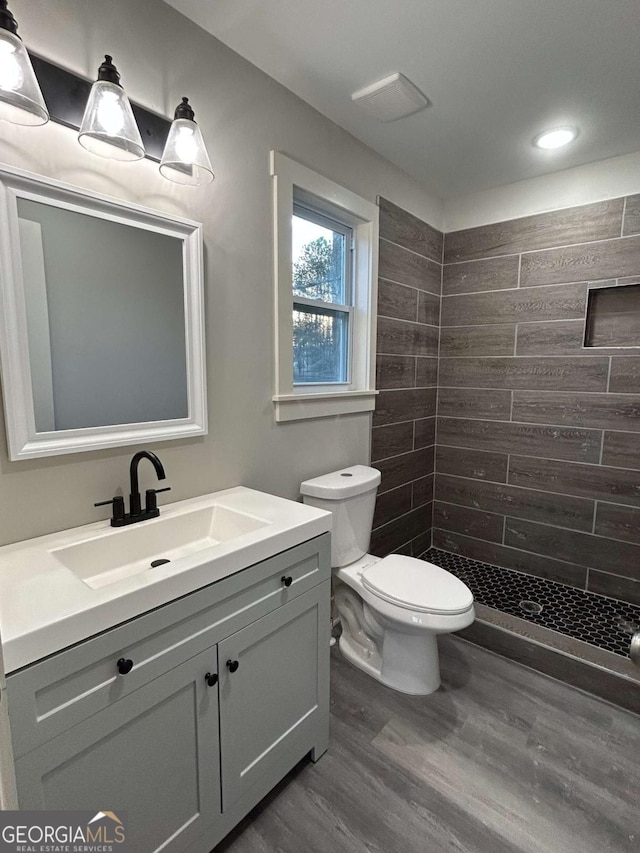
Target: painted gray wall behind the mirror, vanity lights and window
[(243, 114)]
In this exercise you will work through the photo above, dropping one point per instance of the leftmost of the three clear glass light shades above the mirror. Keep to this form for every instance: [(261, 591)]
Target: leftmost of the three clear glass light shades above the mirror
[(21, 100)]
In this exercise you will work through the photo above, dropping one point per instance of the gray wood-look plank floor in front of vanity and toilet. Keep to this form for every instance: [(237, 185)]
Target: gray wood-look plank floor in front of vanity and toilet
[(501, 759)]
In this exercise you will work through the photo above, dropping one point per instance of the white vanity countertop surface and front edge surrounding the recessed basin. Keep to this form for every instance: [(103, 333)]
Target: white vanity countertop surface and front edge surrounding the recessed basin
[(45, 607)]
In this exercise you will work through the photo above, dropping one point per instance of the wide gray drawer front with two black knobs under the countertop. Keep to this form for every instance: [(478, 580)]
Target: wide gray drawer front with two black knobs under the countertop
[(61, 691)]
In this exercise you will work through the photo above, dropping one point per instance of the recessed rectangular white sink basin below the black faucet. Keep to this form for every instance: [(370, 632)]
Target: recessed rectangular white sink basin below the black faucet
[(123, 552)]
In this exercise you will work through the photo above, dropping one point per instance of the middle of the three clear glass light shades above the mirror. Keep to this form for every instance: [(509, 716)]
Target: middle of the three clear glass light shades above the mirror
[(108, 126)]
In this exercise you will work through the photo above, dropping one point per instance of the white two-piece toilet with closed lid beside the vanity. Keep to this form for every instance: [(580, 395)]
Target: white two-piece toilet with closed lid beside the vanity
[(391, 609)]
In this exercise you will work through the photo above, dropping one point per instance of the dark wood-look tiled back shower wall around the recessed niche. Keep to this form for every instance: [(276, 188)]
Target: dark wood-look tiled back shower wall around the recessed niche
[(538, 439)]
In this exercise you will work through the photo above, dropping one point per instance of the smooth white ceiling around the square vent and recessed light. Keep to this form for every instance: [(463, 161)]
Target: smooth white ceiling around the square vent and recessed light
[(496, 71)]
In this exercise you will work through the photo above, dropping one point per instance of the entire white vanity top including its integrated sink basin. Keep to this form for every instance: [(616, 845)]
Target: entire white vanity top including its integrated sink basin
[(61, 588)]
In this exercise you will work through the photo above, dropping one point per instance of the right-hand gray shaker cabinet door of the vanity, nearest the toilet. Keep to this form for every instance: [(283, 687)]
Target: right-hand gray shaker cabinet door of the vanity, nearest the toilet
[(274, 703)]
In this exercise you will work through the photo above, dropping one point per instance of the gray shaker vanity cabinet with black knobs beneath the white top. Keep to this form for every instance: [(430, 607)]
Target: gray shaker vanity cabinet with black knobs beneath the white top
[(228, 688)]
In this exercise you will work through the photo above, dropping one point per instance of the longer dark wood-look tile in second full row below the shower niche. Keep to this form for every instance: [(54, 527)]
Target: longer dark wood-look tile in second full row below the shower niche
[(602, 411)]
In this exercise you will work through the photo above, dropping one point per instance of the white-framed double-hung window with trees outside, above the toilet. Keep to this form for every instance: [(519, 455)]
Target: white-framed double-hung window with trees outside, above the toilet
[(325, 274)]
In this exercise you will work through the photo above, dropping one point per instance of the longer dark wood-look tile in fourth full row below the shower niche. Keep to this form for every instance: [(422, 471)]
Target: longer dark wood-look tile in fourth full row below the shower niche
[(590, 481)]
